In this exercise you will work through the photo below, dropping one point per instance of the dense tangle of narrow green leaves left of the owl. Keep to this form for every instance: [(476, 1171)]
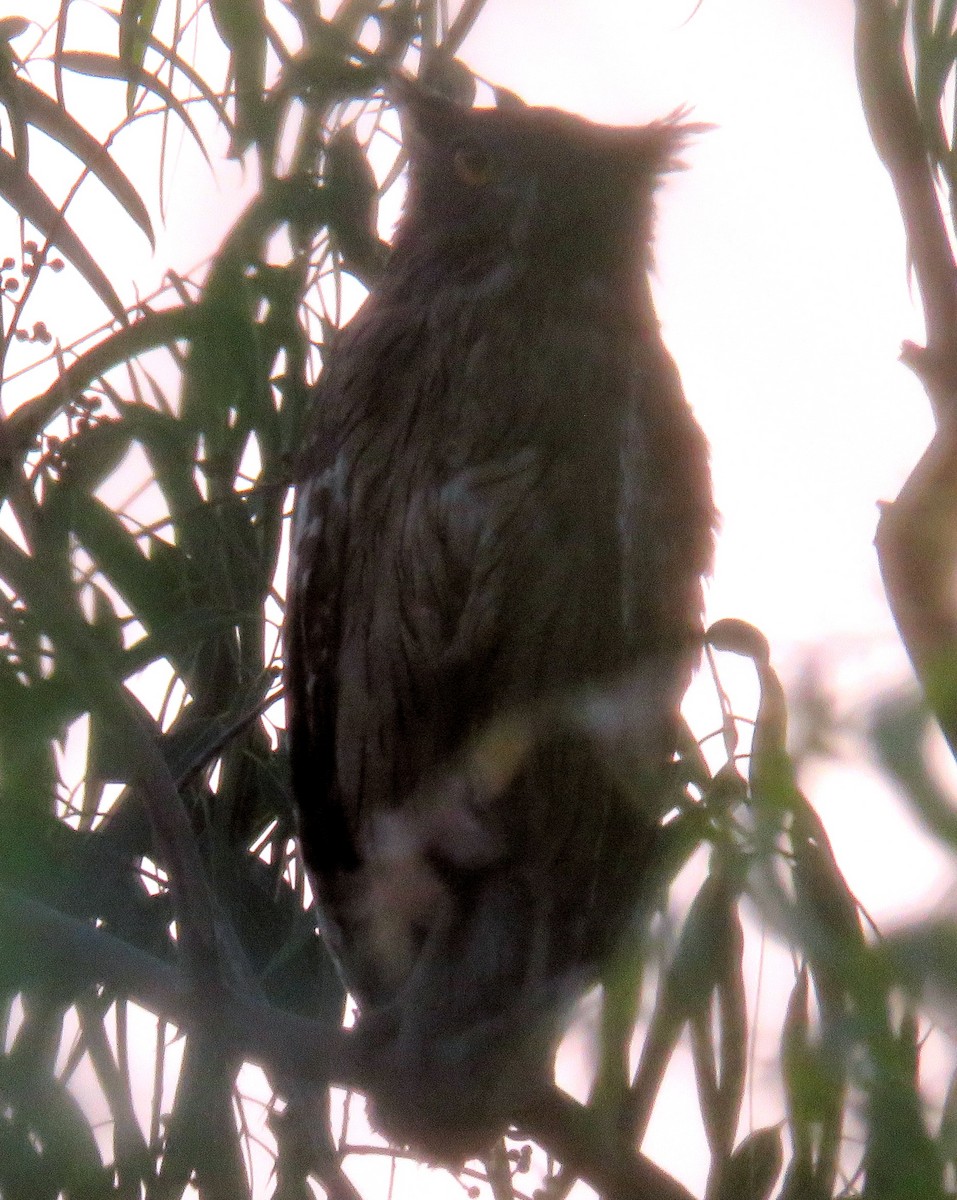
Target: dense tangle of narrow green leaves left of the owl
[(148, 626)]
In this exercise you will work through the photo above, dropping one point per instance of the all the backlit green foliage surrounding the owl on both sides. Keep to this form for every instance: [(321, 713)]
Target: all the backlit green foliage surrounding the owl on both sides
[(155, 934)]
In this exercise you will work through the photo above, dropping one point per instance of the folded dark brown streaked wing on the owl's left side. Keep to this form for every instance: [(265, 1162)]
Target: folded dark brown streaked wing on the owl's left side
[(383, 623)]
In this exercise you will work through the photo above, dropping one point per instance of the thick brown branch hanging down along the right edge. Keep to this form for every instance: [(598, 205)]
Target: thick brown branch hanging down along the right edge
[(917, 537)]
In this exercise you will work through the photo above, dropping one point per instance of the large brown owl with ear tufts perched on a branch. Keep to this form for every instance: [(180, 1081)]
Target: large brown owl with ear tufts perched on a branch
[(503, 512)]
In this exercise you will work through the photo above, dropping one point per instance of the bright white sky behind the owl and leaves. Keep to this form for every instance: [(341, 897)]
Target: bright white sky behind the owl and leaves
[(784, 296)]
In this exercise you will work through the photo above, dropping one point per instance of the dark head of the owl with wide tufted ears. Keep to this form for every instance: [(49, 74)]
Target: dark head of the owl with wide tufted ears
[(540, 184)]
